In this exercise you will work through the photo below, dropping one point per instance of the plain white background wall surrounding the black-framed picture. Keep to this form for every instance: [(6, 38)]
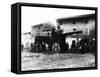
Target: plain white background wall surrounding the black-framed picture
[(5, 42)]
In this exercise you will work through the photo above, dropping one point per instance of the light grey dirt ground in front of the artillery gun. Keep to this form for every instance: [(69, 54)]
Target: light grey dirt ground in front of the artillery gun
[(38, 61)]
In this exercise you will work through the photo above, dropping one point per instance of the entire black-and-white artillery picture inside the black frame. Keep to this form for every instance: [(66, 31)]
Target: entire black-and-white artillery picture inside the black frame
[(57, 38)]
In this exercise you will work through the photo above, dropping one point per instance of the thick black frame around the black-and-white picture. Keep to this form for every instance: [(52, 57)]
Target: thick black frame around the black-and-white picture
[(16, 37)]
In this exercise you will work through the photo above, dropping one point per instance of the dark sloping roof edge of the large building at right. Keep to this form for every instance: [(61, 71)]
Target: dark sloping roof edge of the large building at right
[(76, 18)]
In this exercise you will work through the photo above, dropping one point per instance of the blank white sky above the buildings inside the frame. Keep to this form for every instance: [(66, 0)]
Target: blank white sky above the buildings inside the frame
[(36, 15)]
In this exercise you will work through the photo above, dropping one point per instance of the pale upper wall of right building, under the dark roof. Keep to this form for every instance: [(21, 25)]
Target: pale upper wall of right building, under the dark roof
[(68, 27)]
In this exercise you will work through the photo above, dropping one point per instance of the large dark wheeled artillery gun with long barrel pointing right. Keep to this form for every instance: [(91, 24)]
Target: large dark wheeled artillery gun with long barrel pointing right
[(51, 40)]
